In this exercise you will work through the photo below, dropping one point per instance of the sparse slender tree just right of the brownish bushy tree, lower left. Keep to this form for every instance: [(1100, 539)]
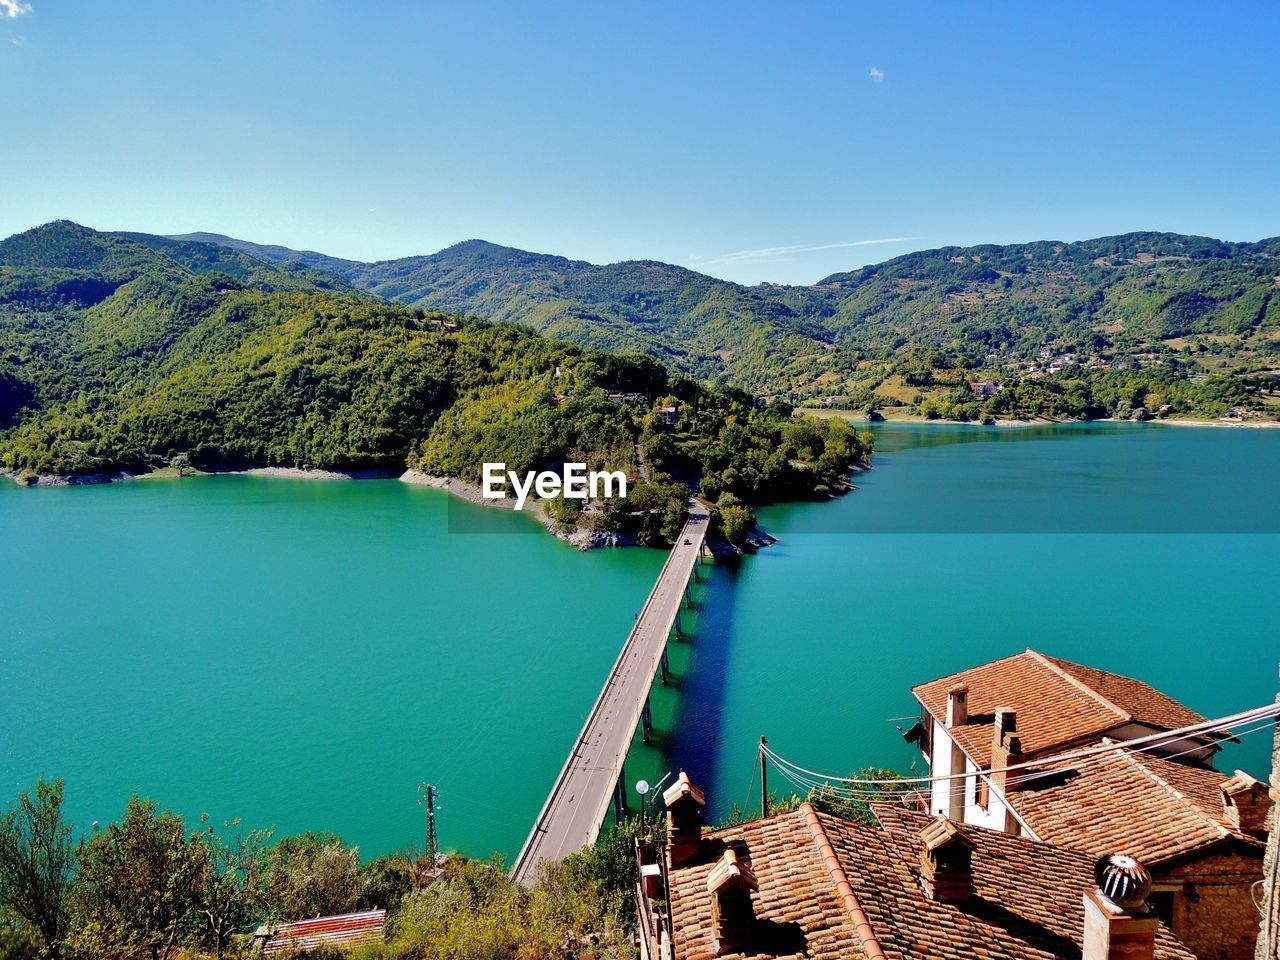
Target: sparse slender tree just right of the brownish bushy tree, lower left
[(231, 889)]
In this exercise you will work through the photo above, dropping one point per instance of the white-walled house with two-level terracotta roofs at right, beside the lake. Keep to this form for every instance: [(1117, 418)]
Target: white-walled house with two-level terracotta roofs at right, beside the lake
[(1199, 830)]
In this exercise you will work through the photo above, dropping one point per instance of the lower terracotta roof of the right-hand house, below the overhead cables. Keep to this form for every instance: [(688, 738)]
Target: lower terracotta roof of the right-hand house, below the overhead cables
[(1139, 804)]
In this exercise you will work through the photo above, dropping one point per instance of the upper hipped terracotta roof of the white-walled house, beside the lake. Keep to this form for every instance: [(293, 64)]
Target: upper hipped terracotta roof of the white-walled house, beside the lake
[(1058, 703)]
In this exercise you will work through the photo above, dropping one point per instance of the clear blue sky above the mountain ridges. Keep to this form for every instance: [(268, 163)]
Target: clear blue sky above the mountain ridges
[(752, 141)]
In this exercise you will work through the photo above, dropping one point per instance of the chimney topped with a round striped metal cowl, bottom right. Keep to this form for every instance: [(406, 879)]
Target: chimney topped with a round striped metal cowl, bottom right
[(1118, 924)]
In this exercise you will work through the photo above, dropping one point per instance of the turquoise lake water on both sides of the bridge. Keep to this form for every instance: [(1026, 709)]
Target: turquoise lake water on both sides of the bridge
[(303, 655)]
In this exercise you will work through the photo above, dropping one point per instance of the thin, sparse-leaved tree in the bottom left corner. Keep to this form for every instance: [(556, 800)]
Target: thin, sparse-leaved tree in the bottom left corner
[(38, 863)]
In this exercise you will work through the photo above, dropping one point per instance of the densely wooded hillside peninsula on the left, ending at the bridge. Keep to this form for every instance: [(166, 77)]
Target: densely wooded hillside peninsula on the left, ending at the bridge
[(127, 354)]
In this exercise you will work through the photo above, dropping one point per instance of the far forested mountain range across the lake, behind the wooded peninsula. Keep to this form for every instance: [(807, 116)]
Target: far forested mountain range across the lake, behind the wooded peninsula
[(1154, 309)]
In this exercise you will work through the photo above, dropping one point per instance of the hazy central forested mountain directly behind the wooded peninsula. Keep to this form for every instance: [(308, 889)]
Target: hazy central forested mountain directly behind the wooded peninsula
[(698, 324)]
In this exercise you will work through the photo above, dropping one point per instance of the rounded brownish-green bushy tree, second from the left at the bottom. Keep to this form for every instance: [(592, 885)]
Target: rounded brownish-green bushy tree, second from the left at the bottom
[(140, 886)]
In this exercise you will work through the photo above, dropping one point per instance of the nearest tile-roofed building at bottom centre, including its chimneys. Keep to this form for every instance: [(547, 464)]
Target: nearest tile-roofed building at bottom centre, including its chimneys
[(810, 885)]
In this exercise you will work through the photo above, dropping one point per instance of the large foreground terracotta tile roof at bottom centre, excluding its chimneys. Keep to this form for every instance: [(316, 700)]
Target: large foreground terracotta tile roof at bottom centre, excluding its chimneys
[(835, 889)]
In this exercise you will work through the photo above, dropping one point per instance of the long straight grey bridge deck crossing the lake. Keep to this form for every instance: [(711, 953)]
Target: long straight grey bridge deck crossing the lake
[(578, 804)]
